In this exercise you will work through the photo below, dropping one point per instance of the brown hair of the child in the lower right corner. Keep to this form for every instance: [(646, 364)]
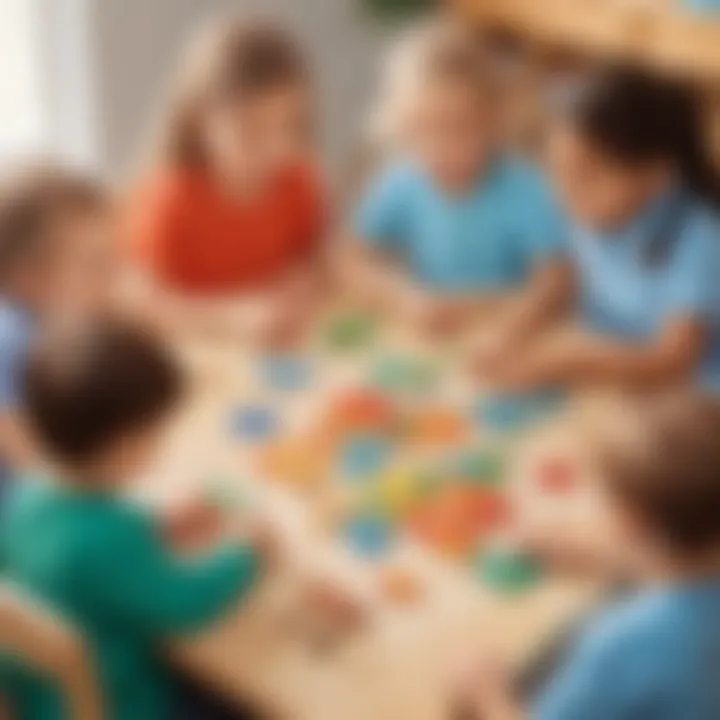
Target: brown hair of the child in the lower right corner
[(662, 462)]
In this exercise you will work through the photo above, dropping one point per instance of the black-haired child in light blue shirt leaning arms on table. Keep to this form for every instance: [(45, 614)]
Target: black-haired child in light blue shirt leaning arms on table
[(631, 166)]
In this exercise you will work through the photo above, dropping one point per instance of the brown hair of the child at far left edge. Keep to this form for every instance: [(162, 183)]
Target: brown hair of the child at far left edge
[(31, 201)]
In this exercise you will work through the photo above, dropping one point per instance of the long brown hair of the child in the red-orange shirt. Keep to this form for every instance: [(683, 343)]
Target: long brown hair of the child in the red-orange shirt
[(235, 58)]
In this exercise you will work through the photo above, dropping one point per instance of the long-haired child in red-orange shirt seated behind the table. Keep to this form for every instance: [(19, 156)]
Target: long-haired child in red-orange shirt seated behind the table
[(230, 223)]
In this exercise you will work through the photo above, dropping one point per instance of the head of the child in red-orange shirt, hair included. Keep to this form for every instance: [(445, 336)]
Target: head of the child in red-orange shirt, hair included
[(242, 105)]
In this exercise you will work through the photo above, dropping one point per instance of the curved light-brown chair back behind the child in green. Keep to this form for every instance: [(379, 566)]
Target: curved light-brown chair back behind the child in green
[(32, 634)]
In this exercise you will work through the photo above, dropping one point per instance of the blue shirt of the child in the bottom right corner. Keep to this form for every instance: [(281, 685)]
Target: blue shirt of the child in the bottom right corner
[(656, 656)]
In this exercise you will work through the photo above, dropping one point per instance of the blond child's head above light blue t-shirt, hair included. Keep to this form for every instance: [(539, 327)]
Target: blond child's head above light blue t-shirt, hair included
[(438, 101)]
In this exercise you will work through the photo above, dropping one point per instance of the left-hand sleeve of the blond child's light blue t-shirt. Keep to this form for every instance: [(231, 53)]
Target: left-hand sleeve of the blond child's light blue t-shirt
[(381, 218)]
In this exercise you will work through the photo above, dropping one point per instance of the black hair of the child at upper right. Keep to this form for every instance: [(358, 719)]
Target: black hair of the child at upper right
[(638, 117)]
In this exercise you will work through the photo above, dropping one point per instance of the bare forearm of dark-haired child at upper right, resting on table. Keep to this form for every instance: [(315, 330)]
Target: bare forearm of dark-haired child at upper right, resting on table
[(599, 360)]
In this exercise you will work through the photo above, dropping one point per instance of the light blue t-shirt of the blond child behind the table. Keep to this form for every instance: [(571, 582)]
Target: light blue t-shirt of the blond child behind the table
[(486, 239)]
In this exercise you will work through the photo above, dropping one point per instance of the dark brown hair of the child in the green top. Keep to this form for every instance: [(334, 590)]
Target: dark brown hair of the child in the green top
[(87, 385)]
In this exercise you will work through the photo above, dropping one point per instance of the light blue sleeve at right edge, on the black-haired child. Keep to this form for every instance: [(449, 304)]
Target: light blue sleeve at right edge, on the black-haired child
[(695, 267)]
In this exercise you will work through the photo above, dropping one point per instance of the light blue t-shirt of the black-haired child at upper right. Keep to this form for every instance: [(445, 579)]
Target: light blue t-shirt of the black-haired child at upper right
[(664, 264)]
